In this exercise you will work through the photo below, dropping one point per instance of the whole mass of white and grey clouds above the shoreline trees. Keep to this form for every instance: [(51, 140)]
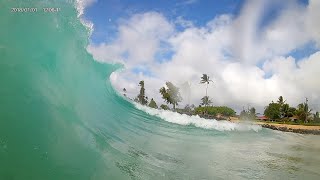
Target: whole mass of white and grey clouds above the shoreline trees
[(248, 63)]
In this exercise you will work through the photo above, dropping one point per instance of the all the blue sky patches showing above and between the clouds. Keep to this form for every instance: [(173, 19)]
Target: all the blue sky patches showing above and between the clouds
[(106, 14)]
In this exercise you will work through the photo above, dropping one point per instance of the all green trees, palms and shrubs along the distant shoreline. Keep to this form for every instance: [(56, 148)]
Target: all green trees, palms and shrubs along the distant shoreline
[(280, 111)]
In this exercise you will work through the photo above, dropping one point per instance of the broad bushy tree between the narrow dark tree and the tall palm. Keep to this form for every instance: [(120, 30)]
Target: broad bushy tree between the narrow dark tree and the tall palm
[(171, 94)]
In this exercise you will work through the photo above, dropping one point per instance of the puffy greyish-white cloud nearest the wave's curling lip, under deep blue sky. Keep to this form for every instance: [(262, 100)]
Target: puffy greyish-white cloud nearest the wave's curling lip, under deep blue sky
[(139, 38)]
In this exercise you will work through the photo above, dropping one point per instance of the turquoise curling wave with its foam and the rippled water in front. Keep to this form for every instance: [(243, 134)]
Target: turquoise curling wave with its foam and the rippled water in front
[(60, 118)]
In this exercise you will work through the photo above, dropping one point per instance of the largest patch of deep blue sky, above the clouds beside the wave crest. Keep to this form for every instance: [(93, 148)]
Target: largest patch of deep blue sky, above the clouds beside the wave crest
[(106, 13)]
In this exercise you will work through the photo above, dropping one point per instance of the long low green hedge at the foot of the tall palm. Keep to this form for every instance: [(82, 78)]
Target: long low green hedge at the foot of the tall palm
[(215, 110)]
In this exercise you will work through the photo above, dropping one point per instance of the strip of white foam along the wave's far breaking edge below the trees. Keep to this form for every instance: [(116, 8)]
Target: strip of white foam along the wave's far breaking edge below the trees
[(197, 121)]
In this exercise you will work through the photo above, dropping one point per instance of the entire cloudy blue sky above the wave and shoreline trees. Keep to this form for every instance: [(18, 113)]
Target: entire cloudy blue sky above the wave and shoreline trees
[(253, 50)]
